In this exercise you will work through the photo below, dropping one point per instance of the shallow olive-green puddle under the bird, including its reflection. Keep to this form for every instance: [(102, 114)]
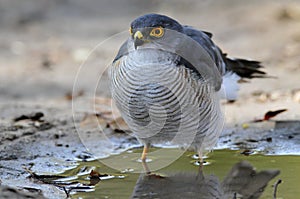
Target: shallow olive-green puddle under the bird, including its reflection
[(223, 172)]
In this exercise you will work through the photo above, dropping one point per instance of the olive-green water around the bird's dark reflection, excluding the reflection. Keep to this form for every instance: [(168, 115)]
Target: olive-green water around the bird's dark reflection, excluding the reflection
[(122, 184)]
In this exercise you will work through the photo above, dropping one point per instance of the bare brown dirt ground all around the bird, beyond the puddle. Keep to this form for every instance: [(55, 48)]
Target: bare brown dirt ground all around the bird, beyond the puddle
[(44, 43)]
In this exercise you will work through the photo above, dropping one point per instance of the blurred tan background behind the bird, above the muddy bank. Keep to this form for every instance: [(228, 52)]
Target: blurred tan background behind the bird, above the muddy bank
[(44, 42)]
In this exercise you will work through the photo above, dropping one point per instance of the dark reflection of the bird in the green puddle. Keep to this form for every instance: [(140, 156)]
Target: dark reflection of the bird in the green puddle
[(241, 182)]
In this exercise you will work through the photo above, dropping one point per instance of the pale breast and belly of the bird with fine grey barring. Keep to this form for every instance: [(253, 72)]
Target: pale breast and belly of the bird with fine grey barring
[(163, 102)]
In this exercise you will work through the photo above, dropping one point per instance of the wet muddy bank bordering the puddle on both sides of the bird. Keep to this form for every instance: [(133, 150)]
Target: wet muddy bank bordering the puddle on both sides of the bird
[(51, 144)]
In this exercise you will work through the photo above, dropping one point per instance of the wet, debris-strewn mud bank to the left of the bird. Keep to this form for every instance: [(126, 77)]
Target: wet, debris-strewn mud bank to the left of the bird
[(47, 145)]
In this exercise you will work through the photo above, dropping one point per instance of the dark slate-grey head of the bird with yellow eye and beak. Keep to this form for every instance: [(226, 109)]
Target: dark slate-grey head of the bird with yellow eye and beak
[(151, 27)]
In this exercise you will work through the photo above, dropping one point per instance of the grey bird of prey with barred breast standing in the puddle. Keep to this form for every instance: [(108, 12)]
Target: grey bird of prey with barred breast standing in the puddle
[(167, 81)]
